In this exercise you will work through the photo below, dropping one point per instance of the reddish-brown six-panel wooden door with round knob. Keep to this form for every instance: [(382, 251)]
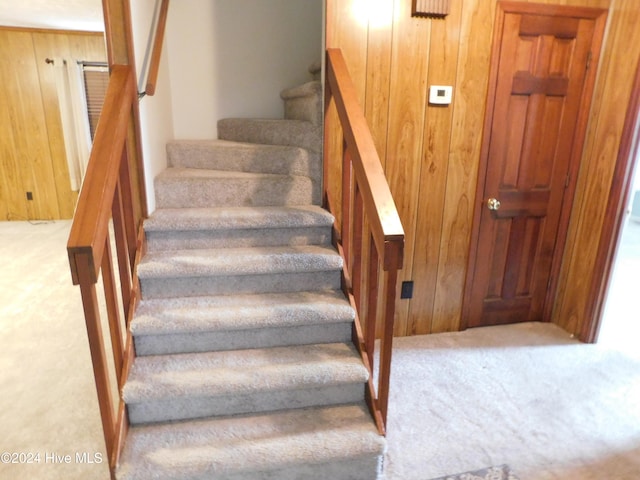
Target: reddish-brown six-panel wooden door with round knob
[(540, 86)]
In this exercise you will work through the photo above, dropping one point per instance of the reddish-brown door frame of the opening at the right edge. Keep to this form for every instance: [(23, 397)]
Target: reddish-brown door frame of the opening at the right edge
[(614, 216)]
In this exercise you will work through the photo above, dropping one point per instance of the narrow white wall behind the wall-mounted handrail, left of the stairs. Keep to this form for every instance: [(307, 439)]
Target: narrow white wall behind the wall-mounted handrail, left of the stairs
[(155, 112)]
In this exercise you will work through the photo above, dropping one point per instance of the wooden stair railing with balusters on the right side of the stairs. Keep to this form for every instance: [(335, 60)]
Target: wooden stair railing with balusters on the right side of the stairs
[(366, 197)]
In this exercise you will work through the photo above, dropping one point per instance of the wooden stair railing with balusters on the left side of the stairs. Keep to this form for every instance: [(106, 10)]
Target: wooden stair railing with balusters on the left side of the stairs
[(106, 203)]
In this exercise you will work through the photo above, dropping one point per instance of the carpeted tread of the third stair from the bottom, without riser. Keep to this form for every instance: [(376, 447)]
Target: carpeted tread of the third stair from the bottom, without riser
[(239, 312)]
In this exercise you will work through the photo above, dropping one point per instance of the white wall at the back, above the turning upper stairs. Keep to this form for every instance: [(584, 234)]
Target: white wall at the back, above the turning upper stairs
[(231, 58)]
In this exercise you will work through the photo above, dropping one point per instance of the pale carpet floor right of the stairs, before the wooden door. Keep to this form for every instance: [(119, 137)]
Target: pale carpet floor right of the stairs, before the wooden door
[(525, 395)]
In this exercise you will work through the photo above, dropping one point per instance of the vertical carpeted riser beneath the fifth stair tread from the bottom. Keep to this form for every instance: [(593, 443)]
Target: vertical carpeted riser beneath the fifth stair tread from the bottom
[(265, 237)]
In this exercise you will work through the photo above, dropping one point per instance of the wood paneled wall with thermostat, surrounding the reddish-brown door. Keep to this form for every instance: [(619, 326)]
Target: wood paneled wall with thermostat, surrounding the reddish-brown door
[(431, 153)]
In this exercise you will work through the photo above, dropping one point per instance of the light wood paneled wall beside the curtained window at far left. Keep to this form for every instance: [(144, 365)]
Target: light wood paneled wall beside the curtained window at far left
[(32, 155)]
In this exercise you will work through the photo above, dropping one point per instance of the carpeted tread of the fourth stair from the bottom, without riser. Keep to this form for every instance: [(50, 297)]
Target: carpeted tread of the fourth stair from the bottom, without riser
[(239, 261)]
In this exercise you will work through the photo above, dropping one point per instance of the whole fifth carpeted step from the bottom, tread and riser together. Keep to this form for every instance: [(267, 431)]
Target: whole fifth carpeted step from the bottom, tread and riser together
[(189, 228)]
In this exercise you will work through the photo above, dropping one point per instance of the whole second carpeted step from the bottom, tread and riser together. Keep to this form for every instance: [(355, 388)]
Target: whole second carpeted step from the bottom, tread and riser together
[(193, 385)]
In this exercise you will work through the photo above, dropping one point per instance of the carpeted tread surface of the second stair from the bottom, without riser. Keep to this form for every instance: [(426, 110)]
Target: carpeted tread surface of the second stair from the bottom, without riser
[(238, 372)]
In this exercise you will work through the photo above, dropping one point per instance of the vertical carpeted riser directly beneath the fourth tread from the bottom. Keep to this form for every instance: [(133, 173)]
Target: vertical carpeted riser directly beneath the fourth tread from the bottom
[(241, 284)]
